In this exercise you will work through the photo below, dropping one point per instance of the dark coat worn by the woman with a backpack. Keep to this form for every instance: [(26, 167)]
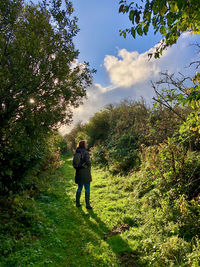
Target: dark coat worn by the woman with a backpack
[(83, 175)]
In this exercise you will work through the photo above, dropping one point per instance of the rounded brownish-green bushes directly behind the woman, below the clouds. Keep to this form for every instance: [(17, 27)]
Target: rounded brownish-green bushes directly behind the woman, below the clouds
[(115, 134)]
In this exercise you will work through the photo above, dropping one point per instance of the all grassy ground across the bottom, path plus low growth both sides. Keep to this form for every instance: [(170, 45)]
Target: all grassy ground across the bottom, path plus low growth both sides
[(131, 224)]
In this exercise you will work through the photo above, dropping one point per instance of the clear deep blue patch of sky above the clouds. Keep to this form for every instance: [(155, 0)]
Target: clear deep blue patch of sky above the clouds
[(99, 23)]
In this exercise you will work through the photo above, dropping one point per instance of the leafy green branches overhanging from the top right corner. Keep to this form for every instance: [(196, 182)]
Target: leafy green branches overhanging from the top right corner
[(171, 18)]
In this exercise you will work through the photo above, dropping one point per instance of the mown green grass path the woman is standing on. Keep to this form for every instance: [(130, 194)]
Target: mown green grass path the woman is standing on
[(78, 237)]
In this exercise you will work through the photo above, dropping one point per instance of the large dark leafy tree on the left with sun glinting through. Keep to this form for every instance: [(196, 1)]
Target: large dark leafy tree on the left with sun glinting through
[(40, 80)]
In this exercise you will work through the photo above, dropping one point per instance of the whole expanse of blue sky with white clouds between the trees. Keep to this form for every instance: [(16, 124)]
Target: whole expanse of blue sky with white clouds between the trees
[(123, 68)]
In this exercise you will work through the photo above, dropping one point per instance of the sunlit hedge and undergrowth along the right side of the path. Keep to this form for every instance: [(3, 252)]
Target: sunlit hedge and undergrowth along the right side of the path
[(153, 156)]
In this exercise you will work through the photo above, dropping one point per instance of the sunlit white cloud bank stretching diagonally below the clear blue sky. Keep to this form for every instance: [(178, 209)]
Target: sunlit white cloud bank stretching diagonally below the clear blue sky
[(130, 74)]
